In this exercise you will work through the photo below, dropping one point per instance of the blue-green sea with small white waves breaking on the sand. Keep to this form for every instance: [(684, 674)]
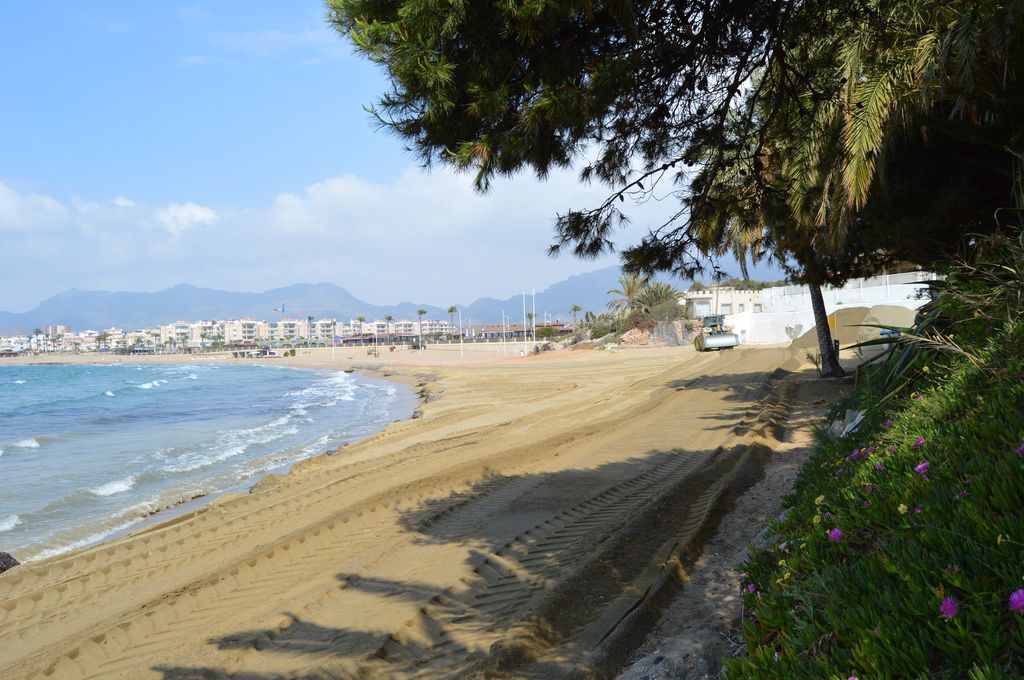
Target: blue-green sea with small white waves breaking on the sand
[(90, 451)]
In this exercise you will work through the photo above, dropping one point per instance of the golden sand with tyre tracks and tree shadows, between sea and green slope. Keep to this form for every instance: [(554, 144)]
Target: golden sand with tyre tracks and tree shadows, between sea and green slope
[(519, 511)]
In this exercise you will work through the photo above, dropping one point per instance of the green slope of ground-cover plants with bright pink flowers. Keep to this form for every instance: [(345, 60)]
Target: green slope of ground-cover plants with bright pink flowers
[(901, 551)]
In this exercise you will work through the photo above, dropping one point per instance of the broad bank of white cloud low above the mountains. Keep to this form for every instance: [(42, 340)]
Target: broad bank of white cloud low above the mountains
[(421, 237)]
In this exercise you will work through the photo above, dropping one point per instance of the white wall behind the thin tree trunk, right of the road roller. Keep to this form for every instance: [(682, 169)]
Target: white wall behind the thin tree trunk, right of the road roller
[(788, 312)]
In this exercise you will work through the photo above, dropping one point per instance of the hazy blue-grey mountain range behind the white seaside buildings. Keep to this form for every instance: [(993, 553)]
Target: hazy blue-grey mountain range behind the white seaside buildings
[(100, 310)]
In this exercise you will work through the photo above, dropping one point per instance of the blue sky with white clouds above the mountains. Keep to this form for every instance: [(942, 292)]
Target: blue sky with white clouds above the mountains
[(226, 145)]
